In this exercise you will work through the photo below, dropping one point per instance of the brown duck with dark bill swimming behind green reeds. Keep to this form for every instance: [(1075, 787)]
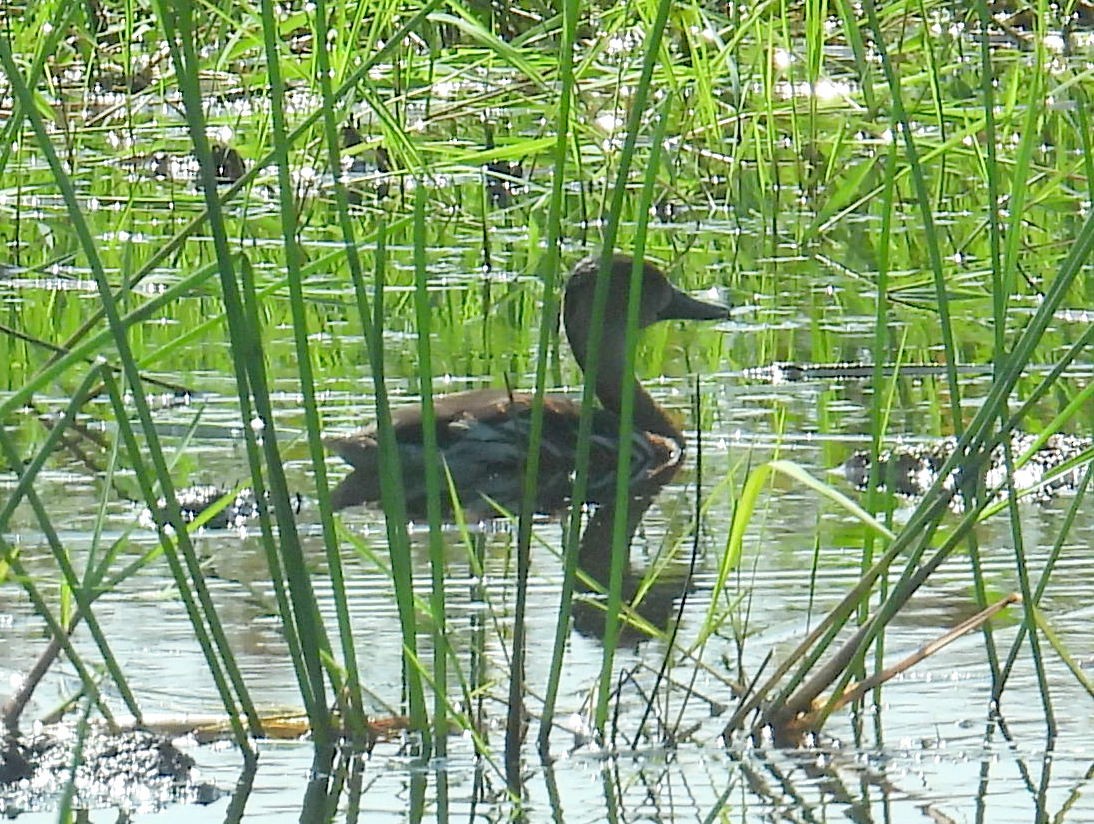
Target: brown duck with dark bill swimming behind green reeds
[(483, 435)]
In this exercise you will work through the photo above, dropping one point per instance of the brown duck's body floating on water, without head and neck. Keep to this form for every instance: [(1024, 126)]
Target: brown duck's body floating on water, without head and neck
[(484, 439)]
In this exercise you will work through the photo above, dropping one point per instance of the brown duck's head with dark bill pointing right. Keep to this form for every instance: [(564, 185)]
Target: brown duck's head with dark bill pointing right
[(660, 301)]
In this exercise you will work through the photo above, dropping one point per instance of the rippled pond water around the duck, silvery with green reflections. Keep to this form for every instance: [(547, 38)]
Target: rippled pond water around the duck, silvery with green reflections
[(800, 269)]
